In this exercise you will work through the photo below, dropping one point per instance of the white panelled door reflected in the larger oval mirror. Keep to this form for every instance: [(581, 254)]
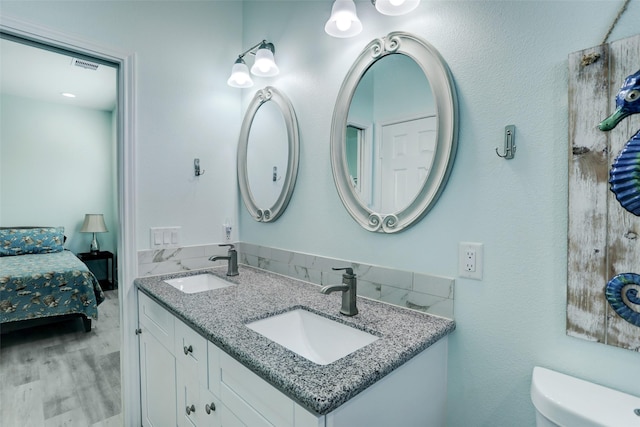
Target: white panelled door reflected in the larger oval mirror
[(406, 156)]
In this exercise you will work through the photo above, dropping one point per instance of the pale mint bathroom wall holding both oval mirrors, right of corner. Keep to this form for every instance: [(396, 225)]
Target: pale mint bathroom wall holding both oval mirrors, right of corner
[(509, 62)]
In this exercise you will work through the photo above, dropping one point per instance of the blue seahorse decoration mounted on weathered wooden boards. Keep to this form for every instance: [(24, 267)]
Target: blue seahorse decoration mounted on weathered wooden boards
[(623, 291)]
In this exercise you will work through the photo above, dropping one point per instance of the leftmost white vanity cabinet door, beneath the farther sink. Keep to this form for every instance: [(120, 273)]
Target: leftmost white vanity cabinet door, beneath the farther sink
[(157, 382)]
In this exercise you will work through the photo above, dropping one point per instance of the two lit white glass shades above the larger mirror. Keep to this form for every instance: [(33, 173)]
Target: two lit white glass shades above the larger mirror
[(344, 21)]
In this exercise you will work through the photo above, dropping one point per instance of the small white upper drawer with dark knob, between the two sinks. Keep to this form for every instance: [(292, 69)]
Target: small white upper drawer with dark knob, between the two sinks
[(191, 351)]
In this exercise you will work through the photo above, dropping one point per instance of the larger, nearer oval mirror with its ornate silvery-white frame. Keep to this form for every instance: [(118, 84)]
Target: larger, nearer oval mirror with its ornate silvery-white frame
[(394, 133)]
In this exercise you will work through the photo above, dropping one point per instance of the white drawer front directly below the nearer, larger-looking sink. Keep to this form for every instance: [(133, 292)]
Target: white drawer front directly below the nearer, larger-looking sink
[(239, 386)]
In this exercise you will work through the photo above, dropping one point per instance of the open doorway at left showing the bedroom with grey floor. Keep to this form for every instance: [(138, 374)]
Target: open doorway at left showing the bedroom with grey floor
[(58, 157)]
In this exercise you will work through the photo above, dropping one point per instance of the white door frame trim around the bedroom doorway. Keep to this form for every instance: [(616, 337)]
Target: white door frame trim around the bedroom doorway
[(127, 258)]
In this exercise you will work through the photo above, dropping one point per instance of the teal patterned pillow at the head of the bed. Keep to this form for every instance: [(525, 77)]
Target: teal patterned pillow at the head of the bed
[(40, 240)]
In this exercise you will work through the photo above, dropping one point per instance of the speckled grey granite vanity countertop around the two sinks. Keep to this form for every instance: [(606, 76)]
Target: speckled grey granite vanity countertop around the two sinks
[(220, 315)]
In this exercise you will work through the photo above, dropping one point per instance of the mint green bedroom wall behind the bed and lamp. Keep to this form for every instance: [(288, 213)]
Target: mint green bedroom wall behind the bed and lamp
[(57, 164)]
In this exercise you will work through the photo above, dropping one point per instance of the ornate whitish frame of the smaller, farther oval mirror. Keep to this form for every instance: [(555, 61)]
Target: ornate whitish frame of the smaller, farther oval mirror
[(269, 213)]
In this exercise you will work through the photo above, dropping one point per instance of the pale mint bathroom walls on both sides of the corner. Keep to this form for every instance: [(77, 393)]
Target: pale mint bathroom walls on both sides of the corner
[(509, 61)]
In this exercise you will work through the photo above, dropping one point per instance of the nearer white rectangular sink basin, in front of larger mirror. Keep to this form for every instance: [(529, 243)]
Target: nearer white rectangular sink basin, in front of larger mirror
[(313, 337)]
